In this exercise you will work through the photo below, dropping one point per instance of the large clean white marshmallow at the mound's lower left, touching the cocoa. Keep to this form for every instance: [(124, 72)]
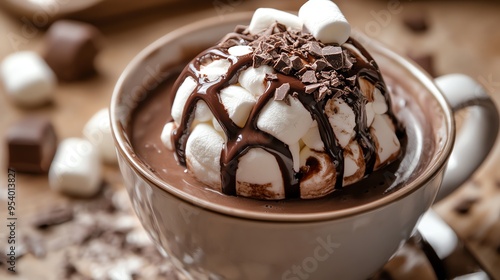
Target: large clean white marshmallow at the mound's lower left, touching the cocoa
[(203, 150)]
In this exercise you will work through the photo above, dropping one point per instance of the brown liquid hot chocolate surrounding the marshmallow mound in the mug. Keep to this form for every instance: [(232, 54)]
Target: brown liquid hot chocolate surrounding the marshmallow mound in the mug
[(149, 117)]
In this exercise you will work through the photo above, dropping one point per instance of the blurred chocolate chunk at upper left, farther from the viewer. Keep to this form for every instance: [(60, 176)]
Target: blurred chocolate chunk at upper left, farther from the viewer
[(71, 48)]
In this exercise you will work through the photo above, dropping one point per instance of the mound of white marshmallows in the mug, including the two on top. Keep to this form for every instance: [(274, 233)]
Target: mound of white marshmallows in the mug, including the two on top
[(290, 123)]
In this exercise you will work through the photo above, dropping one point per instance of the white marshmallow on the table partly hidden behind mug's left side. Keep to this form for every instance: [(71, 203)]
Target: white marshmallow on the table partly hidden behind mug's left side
[(98, 132)]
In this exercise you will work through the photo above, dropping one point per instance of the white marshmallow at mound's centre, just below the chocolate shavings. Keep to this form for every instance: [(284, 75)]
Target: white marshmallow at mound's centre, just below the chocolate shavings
[(288, 123)]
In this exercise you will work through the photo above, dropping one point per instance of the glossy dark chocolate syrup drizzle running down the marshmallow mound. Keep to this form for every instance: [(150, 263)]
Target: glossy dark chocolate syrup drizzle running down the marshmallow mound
[(241, 139)]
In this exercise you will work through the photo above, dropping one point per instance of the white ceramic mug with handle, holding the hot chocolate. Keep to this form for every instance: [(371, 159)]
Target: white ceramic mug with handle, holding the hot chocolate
[(208, 240)]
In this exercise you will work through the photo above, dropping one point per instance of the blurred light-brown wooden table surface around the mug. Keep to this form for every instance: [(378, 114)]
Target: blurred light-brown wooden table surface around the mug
[(464, 36)]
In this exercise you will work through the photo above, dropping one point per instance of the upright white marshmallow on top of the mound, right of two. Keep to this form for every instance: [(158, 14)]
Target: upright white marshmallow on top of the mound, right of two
[(325, 21)]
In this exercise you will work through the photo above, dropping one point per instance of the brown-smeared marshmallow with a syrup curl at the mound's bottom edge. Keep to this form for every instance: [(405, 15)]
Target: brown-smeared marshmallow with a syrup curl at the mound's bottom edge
[(320, 178)]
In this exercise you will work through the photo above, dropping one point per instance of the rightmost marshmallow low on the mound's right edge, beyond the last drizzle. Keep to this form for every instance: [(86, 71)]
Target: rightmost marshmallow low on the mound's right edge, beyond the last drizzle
[(386, 140)]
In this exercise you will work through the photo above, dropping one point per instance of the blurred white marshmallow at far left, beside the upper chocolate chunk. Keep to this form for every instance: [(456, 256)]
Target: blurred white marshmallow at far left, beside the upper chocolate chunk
[(27, 78)]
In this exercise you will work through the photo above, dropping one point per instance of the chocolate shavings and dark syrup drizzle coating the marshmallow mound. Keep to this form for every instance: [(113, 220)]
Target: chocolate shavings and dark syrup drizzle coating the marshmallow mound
[(305, 69)]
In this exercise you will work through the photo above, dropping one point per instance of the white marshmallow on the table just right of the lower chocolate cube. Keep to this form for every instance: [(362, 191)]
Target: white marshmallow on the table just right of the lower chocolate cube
[(76, 169)]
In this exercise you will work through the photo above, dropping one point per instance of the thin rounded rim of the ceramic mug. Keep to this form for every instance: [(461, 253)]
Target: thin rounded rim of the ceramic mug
[(125, 149)]
